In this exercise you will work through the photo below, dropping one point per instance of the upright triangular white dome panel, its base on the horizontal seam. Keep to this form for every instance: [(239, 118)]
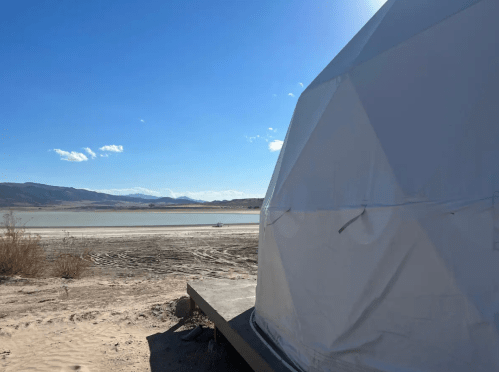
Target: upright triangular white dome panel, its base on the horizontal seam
[(359, 173)]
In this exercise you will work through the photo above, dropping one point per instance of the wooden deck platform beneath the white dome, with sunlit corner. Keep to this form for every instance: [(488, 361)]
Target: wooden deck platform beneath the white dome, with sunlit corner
[(229, 304)]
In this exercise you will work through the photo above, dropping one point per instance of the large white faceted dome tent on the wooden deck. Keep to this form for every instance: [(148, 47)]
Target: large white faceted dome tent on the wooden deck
[(379, 232)]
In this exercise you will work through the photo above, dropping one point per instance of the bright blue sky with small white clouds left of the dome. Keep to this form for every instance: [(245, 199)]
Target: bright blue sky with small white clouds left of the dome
[(168, 98)]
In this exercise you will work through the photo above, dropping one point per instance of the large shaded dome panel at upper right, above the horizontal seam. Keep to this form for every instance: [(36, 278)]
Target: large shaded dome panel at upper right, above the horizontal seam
[(431, 102)]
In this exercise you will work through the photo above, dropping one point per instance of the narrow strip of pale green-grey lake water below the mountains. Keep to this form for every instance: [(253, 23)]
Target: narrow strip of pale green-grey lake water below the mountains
[(112, 219)]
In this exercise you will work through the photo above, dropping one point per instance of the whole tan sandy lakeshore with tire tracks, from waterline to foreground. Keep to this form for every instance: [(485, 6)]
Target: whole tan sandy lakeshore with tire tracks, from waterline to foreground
[(129, 312)]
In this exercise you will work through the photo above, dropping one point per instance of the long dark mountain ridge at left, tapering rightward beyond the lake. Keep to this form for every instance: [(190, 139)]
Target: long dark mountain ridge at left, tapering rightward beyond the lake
[(37, 194)]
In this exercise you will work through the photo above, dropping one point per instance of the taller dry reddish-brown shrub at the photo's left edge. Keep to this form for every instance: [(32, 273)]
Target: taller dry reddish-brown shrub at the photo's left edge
[(20, 253)]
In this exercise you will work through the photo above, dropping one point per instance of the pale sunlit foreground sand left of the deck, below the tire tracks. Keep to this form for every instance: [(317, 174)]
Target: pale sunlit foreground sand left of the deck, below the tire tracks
[(96, 323)]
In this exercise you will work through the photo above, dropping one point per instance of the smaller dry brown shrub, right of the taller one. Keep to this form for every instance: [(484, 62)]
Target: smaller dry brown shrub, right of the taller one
[(73, 260)]
